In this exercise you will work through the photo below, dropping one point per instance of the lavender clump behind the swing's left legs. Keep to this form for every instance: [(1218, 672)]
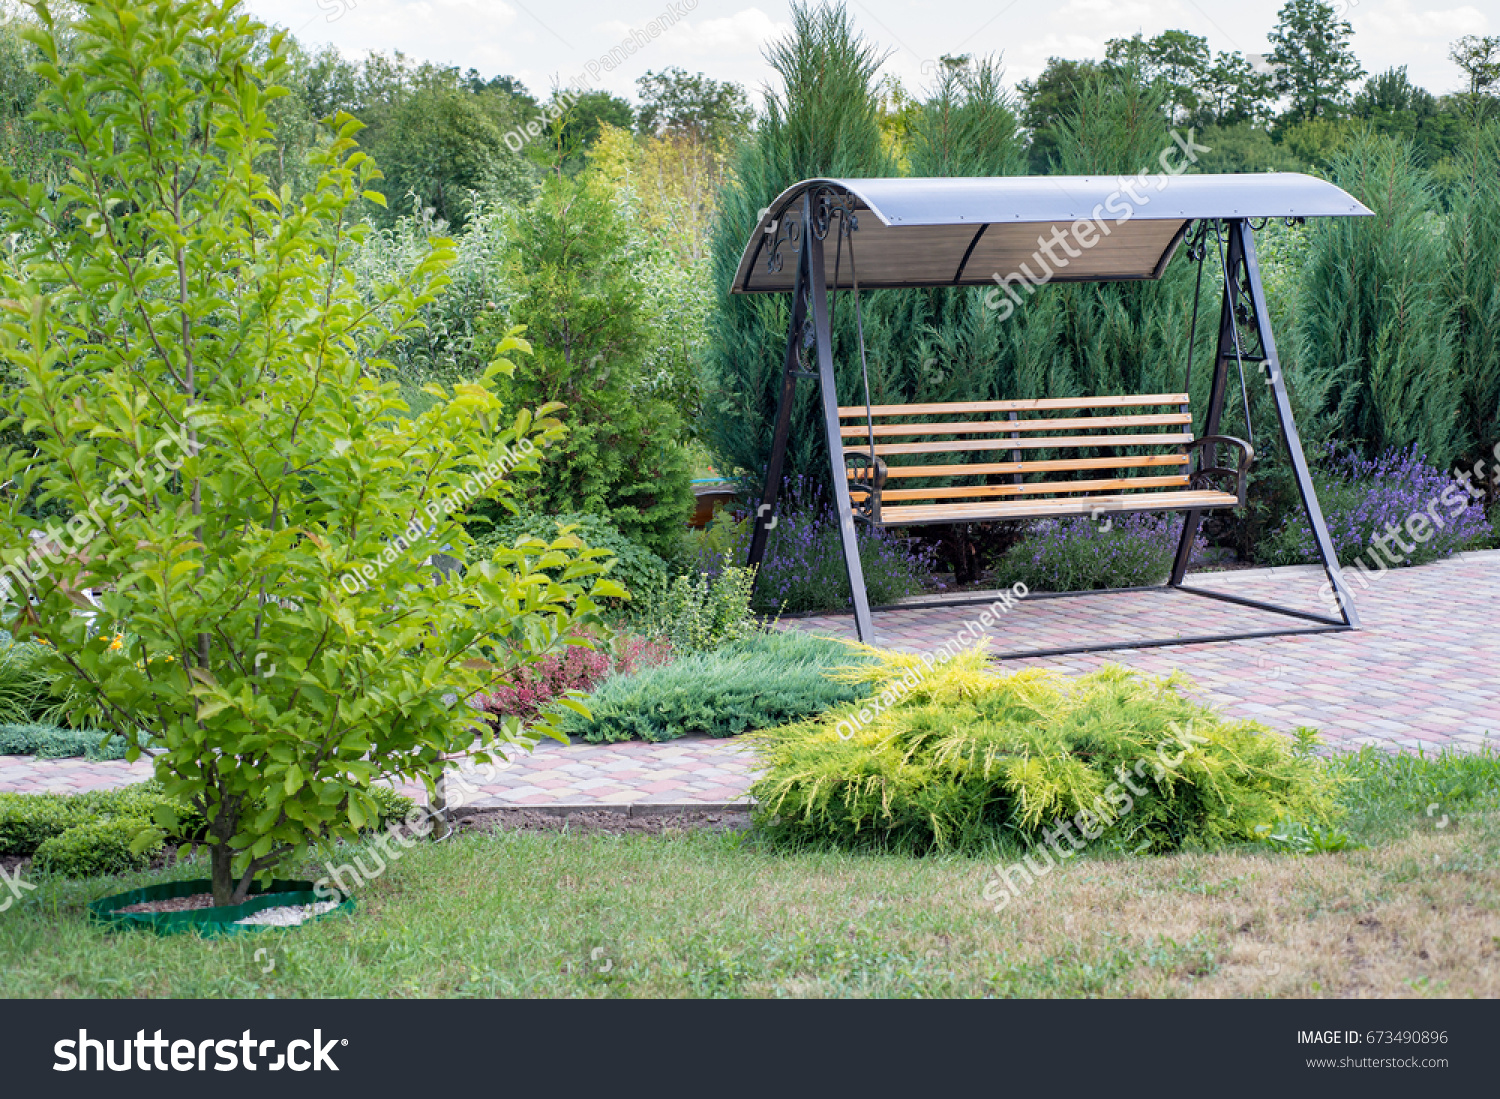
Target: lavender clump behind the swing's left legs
[(803, 567)]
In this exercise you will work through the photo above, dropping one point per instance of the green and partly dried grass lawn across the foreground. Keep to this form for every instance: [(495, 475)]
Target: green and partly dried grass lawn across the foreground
[(523, 914)]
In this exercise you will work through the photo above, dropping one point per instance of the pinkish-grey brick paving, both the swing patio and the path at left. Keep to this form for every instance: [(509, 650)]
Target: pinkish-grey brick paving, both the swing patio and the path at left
[(1421, 674)]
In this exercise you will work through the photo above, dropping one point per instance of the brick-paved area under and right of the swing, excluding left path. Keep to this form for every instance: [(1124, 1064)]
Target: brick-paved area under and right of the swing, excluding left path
[(1423, 672)]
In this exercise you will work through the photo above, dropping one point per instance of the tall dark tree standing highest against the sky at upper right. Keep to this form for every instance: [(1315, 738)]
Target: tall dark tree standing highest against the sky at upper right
[(1315, 62)]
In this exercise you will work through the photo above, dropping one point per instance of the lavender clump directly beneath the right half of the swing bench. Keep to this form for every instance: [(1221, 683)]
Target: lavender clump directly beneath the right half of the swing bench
[(1130, 551)]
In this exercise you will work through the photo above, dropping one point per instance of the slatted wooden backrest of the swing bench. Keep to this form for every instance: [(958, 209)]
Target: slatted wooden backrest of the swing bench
[(1136, 433)]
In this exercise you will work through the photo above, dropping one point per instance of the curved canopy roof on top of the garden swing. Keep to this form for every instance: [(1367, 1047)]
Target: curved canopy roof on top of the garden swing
[(1024, 229)]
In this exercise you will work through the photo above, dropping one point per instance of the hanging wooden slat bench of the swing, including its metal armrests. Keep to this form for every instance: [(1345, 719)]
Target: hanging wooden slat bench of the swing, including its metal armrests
[(1115, 461)]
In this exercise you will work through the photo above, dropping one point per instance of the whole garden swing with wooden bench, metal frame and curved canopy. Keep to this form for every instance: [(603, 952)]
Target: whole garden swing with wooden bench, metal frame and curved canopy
[(910, 466)]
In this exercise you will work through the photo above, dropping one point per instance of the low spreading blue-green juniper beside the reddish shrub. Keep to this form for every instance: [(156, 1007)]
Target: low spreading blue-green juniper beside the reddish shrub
[(757, 683)]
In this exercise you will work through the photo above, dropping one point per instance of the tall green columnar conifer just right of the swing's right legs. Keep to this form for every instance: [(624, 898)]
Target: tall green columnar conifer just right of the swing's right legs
[(1375, 334)]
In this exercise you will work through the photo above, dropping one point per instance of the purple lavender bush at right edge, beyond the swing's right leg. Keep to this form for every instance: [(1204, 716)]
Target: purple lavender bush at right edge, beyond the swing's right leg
[(1363, 499)]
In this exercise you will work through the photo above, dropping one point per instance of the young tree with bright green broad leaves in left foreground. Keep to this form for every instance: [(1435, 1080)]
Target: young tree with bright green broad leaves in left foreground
[(253, 508)]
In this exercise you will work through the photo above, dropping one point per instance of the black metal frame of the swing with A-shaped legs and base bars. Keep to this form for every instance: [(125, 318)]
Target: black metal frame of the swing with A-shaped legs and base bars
[(1244, 337)]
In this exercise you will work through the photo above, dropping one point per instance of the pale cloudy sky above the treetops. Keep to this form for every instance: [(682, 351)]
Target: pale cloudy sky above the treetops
[(548, 43)]
